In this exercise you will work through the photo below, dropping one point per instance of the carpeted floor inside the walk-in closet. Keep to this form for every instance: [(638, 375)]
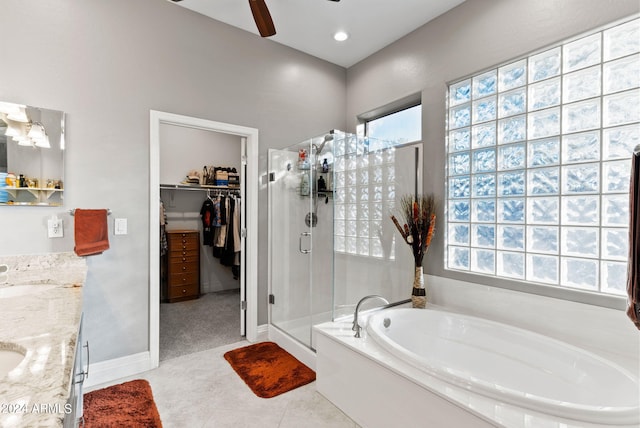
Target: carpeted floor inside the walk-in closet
[(211, 321)]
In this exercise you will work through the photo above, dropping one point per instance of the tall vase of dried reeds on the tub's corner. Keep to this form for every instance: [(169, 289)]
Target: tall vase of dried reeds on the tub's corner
[(419, 215)]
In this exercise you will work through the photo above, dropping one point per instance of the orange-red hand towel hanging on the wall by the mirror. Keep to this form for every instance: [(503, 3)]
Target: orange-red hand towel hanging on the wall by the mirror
[(91, 232)]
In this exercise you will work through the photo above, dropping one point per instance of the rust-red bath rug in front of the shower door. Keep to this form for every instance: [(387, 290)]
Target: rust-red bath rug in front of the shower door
[(268, 369)]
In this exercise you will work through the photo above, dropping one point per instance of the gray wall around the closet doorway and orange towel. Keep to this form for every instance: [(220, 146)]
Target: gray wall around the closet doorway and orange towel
[(106, 63)]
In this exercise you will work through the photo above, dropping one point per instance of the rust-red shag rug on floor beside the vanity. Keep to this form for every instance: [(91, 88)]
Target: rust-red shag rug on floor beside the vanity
[(129, 404)]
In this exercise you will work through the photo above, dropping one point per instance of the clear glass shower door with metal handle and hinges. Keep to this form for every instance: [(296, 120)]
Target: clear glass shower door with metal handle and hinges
[(291, 217)]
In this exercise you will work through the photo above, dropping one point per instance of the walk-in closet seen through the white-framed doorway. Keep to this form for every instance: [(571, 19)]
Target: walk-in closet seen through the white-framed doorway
[(200, 240)]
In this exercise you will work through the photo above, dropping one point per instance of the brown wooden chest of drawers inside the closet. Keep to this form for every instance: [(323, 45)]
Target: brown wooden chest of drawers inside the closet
[(183, 265)]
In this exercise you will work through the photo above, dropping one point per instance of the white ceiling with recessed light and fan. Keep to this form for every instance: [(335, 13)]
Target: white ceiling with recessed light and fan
[(309, 25)]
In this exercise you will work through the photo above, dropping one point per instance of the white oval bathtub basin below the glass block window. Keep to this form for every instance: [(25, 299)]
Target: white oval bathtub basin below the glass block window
[(510, 365)]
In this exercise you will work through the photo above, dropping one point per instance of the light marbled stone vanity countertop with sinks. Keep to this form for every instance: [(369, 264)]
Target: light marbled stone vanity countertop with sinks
[(43, 324)]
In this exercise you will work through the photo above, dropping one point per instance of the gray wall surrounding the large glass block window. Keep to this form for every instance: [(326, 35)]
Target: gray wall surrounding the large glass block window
[(476, 35)]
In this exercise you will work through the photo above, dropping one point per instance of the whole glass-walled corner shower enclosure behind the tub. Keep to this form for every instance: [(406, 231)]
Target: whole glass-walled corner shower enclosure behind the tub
[(331, 240)]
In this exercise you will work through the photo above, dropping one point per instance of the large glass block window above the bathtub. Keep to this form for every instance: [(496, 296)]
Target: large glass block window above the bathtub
[(538, 163)]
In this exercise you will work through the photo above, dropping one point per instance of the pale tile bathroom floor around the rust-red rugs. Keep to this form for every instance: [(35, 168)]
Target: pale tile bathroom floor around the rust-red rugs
[(202, 390)]
